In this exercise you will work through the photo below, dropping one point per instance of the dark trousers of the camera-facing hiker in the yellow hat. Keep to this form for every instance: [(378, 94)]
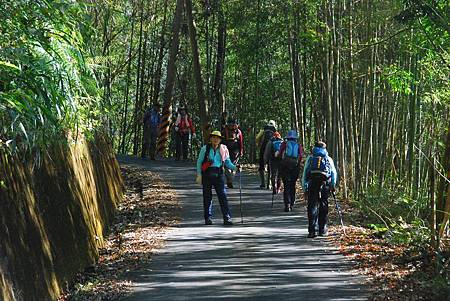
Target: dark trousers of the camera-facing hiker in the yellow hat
[(217, 181)]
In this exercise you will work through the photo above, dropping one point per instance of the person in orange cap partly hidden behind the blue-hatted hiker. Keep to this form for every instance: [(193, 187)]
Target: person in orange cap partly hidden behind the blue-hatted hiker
[(273, 158)]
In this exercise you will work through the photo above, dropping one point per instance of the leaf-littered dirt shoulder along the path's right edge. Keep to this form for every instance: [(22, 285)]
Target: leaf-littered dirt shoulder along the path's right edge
[(393, 271)]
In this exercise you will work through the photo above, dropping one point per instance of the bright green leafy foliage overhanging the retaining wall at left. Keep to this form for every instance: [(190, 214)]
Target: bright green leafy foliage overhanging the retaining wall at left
[(46, 87)]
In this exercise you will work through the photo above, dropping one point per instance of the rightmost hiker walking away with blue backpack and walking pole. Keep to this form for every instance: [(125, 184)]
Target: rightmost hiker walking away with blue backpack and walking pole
[(319, 177)]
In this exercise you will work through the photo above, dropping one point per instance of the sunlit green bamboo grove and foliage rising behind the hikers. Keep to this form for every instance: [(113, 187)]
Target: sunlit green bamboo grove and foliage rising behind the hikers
[(371, 78)]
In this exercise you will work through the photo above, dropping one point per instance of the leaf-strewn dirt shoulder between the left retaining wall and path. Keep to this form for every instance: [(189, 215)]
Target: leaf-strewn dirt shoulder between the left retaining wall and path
[(148, 209)]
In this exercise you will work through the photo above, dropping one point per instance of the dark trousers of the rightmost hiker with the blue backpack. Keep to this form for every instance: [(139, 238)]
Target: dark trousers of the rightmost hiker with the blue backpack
[(318, 208)]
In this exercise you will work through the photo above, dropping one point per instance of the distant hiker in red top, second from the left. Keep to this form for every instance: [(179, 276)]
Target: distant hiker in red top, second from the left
[(183, 128)]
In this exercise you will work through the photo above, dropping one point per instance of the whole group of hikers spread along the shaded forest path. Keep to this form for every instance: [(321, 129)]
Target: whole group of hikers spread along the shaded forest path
[(219, 159)]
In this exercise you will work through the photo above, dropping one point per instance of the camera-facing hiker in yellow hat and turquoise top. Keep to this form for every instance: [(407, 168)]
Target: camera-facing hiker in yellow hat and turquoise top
[(210, 163)]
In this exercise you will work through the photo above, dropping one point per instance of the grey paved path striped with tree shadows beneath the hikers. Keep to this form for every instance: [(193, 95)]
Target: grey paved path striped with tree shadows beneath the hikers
[(268, 257)]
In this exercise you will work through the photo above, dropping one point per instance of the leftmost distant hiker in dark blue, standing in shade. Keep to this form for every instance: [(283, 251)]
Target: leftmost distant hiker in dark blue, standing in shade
[(151, 120)]
